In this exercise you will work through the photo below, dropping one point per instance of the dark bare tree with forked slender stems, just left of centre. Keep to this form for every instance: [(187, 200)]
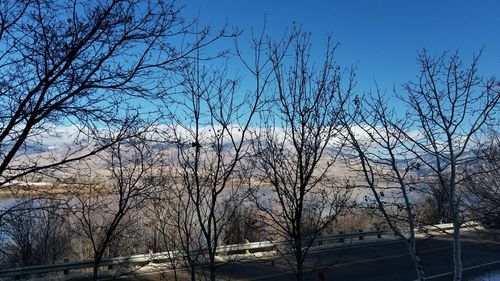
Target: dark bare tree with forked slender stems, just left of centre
[(210, 130)]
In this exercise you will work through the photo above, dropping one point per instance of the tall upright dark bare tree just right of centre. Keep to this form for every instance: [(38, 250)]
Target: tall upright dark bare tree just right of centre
[(296, 148)]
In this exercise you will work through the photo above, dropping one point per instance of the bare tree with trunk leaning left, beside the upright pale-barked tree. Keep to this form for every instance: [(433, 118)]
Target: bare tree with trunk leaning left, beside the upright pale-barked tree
[(379, 157)]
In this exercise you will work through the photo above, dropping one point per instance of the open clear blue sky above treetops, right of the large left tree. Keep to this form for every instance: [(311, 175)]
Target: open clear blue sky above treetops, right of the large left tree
[(381, 37)]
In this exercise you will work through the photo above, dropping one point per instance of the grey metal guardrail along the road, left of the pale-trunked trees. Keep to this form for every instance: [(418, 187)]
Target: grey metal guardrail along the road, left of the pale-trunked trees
[(152, 257)]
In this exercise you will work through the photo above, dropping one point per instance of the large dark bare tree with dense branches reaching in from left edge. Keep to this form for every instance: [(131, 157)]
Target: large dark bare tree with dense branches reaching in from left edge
[(82, 64)]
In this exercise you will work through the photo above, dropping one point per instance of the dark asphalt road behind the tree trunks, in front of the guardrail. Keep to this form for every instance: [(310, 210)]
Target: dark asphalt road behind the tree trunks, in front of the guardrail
[(380, 261)]
